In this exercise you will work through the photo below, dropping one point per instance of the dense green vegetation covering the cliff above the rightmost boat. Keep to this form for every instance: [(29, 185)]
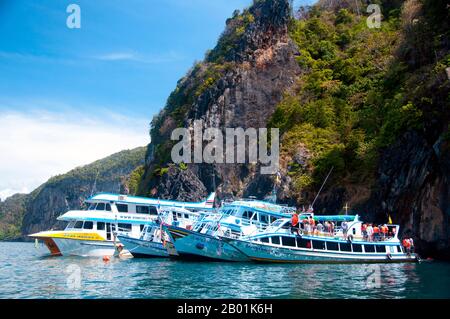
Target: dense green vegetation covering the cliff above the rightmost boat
[(360, 90)]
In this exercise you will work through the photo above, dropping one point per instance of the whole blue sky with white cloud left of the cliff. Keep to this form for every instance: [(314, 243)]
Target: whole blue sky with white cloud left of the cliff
[(71, 96)]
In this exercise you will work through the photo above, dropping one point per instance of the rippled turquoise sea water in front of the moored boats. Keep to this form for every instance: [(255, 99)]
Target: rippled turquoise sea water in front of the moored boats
[(25, 274)]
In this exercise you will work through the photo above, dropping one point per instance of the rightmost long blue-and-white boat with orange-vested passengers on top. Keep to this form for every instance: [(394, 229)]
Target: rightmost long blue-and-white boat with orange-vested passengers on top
[(277, 243)]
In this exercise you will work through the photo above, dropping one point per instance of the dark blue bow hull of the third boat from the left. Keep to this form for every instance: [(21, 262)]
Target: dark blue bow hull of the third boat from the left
[(195, 245)]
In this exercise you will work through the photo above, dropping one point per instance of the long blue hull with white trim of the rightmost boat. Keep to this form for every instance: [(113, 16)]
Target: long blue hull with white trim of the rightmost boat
[(269, 253)]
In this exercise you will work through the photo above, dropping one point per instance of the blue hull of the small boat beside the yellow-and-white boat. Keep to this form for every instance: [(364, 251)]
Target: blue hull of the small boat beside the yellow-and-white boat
[(146, 249)]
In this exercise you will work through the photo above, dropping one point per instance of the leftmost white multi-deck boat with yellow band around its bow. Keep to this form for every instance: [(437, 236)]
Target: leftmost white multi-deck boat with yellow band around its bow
[(93, 232)]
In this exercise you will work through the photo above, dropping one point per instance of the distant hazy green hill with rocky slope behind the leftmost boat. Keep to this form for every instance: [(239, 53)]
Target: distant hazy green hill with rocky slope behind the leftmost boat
[(37, 211)]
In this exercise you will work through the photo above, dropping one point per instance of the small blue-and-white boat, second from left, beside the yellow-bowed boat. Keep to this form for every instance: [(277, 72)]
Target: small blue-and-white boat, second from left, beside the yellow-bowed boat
[(153, 240)]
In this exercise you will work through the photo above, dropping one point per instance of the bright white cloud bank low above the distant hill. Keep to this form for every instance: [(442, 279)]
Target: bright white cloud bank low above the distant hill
[(37, 145)]
